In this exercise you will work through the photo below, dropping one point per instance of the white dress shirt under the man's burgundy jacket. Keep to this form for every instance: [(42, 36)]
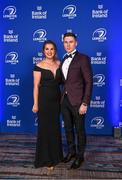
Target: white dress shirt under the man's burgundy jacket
[(67, 63)]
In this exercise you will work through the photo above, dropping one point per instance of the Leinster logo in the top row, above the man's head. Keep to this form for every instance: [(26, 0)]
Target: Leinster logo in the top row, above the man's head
[(69, 11)]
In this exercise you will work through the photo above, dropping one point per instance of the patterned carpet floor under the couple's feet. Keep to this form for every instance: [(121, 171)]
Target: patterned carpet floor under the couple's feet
[(103, 159)]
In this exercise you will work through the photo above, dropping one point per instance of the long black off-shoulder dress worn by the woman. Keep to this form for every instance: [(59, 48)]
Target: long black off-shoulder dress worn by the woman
[(49, 145)]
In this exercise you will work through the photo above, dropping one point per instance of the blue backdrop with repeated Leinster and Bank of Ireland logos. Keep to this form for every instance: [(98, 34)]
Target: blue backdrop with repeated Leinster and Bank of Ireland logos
[(25, 25)]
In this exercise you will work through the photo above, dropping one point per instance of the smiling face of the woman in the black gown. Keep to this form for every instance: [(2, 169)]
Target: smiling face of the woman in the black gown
[(49, 51)]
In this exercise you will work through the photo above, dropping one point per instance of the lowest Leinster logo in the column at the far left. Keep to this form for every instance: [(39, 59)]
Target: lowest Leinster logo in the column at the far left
[(13, 100)]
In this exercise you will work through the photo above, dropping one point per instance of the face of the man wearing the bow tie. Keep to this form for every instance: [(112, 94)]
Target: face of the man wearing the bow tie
[(69, 44)]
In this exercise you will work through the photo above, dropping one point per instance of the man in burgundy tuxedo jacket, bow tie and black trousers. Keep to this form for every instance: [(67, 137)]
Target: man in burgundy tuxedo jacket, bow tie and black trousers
[(77, 90)]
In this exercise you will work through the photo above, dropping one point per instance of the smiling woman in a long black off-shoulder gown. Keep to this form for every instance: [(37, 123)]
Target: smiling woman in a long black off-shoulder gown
[(46, 94)]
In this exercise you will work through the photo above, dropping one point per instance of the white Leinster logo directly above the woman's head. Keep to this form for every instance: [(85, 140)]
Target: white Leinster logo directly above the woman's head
[(40, 35)]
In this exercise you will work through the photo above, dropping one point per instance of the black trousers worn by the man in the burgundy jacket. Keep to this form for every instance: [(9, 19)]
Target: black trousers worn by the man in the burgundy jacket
[(74, 125)]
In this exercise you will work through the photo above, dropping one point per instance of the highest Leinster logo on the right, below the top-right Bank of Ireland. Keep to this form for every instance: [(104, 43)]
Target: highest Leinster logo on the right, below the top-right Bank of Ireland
[(99, 35)]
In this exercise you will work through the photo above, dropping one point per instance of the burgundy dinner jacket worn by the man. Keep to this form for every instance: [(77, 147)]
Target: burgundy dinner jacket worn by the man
[(79, 82)]
